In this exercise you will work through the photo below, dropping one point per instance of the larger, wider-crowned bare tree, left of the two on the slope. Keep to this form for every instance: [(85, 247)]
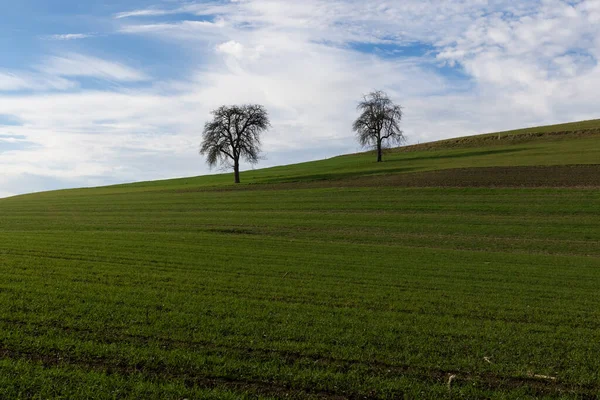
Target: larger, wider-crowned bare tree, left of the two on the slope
[(234, 134)]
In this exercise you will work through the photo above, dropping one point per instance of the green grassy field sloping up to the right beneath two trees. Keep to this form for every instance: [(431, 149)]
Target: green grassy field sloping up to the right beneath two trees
[(341, 278)]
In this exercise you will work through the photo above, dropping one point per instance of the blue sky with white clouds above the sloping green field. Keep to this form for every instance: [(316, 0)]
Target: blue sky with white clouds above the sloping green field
[(102, 92)]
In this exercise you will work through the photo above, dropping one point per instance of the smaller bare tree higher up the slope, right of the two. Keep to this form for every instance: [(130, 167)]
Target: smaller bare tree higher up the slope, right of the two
[(378, 125)]
